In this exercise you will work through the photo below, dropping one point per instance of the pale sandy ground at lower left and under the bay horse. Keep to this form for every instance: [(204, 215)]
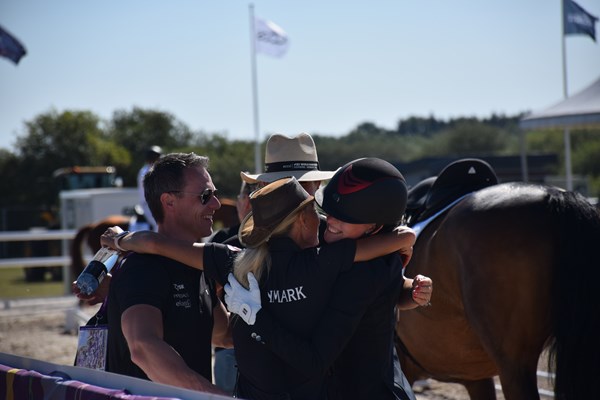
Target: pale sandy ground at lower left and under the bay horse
[(40, 334)]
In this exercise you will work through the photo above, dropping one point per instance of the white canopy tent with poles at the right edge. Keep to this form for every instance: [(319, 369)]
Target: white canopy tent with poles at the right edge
[(578, 111)]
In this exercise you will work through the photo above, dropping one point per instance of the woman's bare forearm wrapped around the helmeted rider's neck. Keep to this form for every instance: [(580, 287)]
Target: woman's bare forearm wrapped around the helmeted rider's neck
[(401, 239)]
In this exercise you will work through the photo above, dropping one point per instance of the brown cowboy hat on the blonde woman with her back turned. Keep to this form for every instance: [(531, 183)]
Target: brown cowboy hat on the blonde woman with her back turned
[(272, 206)]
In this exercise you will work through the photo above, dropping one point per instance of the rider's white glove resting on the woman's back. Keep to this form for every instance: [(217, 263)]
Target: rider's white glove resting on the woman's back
[(241, 301)]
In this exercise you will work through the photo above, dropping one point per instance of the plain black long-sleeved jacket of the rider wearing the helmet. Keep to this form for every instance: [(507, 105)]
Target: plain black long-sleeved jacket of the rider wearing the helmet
[(354, 335)]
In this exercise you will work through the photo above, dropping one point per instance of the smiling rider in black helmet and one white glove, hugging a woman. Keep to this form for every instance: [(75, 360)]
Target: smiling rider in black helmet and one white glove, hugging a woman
[(355, 333)]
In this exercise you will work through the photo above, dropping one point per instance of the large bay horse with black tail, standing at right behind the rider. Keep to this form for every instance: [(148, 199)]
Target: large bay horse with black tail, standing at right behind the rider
[(515, 270)]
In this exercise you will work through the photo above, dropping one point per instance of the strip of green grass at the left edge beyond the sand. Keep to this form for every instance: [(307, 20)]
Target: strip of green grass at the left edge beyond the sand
[(13, 285)]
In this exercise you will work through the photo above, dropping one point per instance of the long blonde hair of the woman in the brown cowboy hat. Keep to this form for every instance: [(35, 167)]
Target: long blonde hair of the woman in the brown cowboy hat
[(258, 259)]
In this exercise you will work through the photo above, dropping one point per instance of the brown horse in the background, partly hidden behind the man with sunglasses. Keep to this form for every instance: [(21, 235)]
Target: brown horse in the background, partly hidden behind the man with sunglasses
[(90, 234)]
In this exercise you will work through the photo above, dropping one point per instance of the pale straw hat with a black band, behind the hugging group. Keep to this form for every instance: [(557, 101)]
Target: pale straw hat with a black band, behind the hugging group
[(290, 156)]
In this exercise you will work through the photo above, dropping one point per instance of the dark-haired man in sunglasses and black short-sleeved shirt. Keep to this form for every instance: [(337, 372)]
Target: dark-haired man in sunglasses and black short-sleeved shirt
[(163, 316)]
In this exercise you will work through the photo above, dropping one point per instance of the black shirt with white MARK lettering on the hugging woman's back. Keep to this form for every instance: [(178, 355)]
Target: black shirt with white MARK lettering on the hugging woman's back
[(295, 290)]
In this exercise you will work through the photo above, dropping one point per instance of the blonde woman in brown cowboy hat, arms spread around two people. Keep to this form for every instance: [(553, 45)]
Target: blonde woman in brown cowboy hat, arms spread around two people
[(280, 234)]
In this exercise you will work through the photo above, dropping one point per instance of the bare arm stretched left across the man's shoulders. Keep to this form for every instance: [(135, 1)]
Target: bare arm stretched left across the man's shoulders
[(150, 242)]
